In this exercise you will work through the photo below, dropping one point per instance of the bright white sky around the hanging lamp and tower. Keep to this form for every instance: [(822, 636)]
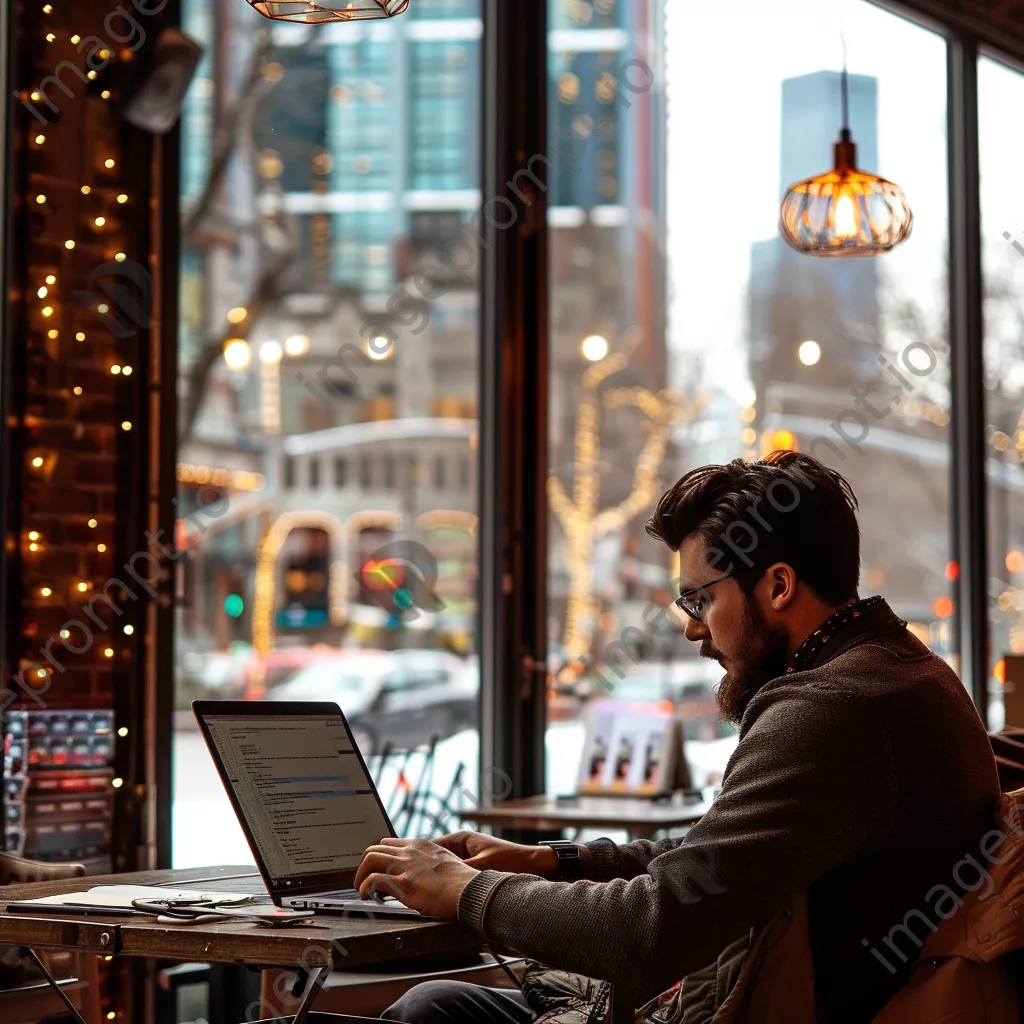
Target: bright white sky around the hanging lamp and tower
[(726, 68)]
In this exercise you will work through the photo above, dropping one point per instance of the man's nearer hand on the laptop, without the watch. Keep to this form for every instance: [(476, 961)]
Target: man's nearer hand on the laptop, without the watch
[(418, 873)]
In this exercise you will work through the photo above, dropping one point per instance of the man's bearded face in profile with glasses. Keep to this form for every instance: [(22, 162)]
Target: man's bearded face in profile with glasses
[(733, 630)]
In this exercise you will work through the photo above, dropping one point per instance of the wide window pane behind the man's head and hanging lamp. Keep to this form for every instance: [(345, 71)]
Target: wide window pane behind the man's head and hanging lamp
[(713, 340)]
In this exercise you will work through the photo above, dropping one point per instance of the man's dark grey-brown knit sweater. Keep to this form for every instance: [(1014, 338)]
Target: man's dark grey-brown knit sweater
[(862, 779)]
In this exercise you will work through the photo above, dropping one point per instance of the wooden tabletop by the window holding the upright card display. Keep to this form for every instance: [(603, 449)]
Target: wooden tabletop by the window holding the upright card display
[(639, 818)]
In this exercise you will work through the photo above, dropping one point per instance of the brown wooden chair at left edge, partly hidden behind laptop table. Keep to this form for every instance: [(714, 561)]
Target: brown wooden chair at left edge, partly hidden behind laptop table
[(77, 973)]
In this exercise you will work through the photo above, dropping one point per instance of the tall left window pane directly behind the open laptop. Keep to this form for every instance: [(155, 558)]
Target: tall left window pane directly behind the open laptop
[(329, 400)]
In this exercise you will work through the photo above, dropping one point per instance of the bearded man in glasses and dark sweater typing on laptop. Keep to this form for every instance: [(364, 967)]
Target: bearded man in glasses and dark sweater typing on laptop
[(862, 778)]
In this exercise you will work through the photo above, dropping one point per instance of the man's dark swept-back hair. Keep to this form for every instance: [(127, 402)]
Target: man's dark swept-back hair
[(786, 508)]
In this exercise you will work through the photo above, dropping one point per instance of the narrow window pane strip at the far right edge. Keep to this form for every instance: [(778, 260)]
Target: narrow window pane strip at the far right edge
[(1002, 90)]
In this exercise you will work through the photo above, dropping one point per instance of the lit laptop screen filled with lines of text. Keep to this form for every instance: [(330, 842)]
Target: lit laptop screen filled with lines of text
[(309, 803)]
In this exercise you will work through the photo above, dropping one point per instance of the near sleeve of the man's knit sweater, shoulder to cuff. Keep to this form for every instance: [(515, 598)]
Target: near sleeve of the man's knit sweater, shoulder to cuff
[(808, 786)]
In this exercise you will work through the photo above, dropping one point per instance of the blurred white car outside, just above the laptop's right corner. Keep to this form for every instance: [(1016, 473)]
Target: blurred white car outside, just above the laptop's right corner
[(402, 698)]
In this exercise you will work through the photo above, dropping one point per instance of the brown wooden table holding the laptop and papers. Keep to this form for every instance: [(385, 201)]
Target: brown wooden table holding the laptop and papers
[(330, 944)]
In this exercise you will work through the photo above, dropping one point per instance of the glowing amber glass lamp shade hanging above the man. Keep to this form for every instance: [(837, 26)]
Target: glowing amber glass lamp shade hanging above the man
[(845, 212)]
